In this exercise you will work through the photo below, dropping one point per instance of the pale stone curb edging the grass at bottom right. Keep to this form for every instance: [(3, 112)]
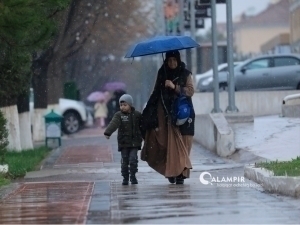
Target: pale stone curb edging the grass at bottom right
[(285, 185)]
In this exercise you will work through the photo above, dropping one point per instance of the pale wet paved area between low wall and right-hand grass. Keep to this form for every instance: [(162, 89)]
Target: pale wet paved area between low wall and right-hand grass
[(269, 137)]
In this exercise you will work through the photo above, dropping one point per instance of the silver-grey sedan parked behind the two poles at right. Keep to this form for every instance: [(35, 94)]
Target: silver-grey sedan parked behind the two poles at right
[(268, 72)]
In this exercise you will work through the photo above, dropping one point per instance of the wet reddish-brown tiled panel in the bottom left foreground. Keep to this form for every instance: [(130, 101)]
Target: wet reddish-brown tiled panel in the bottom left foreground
[(56, 202)]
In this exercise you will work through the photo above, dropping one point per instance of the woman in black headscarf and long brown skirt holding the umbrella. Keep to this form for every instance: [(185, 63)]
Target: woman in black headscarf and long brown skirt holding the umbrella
[(167, 146)]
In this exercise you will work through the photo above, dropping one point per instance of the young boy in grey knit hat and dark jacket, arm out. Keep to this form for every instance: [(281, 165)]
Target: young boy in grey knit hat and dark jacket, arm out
[(127, 121)]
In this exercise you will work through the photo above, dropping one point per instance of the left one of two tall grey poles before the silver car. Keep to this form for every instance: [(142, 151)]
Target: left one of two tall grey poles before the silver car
[(216, 108)]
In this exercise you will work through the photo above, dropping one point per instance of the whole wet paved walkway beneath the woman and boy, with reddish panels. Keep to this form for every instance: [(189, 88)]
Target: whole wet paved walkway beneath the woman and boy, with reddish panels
[(91, 192)]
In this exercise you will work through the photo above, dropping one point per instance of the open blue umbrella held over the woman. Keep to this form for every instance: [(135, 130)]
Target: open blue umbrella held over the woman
[(161, 44)]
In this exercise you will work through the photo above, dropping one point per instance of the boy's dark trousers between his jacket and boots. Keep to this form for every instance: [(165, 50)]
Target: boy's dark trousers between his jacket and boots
[(129, 162)]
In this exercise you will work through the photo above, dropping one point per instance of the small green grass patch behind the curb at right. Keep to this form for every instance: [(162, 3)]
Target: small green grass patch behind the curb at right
[(285, 168)]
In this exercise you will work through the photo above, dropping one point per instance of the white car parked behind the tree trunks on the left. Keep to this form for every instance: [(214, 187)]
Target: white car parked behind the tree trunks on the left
[(74, 113)]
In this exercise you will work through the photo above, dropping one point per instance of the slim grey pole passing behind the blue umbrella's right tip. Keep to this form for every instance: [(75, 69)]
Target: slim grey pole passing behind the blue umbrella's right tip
[(193, 36)]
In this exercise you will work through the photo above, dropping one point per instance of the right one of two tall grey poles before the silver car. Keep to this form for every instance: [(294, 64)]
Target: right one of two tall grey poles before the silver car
[(231, 86)]
